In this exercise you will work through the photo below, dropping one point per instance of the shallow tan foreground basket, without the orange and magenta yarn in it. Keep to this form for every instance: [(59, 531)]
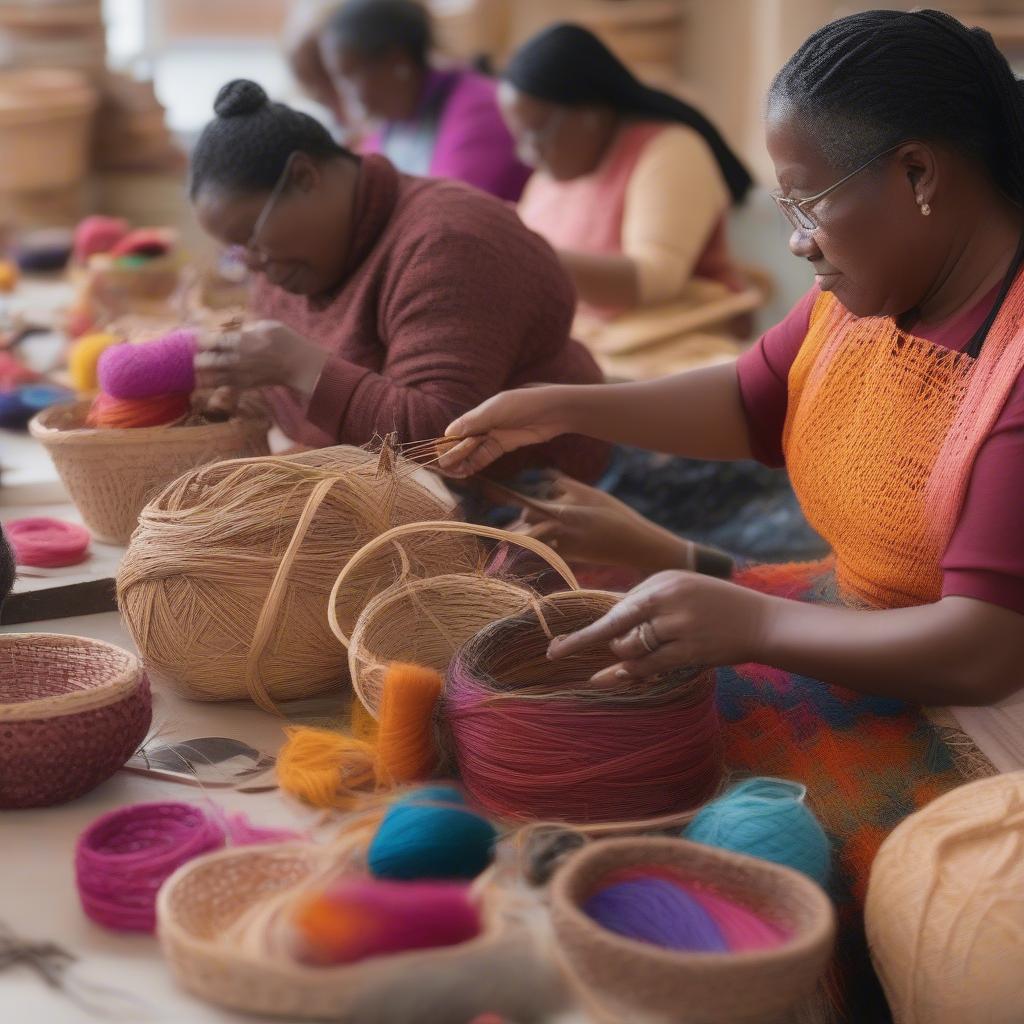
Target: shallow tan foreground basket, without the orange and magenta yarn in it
[(201, 906)]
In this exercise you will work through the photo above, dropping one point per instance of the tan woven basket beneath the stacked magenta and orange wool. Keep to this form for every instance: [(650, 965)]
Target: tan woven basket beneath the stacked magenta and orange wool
[(112, 475)]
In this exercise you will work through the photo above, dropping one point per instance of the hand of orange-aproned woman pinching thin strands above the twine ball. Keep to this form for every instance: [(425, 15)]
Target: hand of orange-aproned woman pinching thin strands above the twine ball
[(502, 424)]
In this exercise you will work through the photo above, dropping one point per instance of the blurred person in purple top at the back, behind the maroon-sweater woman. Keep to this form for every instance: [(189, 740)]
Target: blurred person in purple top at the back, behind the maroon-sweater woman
[(434, 122)]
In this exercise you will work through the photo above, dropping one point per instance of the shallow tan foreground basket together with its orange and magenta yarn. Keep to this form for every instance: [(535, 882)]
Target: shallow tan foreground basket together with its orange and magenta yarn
[(369, 952)]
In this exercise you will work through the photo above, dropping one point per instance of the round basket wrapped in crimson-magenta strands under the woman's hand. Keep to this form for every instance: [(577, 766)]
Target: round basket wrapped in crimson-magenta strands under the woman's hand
[(535, 740)]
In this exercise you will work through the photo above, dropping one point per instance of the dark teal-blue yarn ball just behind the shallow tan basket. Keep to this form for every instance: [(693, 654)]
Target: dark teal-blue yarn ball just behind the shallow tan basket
[(432, 835)]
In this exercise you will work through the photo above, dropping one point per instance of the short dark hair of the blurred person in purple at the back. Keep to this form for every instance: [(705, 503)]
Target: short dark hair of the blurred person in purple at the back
[(374, 28)]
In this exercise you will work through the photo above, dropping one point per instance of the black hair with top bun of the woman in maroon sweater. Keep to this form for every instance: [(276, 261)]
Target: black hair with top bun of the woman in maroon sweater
[(246, 147)]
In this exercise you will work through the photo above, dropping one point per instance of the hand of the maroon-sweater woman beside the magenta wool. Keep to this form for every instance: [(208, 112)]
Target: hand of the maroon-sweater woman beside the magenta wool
[(261, 355)]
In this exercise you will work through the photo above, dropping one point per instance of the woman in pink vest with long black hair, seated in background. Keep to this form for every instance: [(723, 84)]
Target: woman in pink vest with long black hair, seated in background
[(632, 186)]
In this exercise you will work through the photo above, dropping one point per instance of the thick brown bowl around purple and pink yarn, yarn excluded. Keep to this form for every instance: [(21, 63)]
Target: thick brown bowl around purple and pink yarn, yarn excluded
[(635, 979)]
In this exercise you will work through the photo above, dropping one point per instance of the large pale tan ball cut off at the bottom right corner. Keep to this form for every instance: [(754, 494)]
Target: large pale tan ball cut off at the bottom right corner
[(946, 908)]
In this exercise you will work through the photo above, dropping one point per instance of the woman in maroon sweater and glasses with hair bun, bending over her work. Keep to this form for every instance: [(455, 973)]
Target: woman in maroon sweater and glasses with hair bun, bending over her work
[(386, 303)]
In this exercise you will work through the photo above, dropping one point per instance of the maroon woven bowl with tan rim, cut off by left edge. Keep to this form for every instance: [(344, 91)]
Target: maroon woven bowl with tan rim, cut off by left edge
[(72, 712)]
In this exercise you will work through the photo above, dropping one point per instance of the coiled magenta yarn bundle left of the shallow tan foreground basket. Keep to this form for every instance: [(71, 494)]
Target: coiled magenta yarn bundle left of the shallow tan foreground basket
[(124, 858)]
